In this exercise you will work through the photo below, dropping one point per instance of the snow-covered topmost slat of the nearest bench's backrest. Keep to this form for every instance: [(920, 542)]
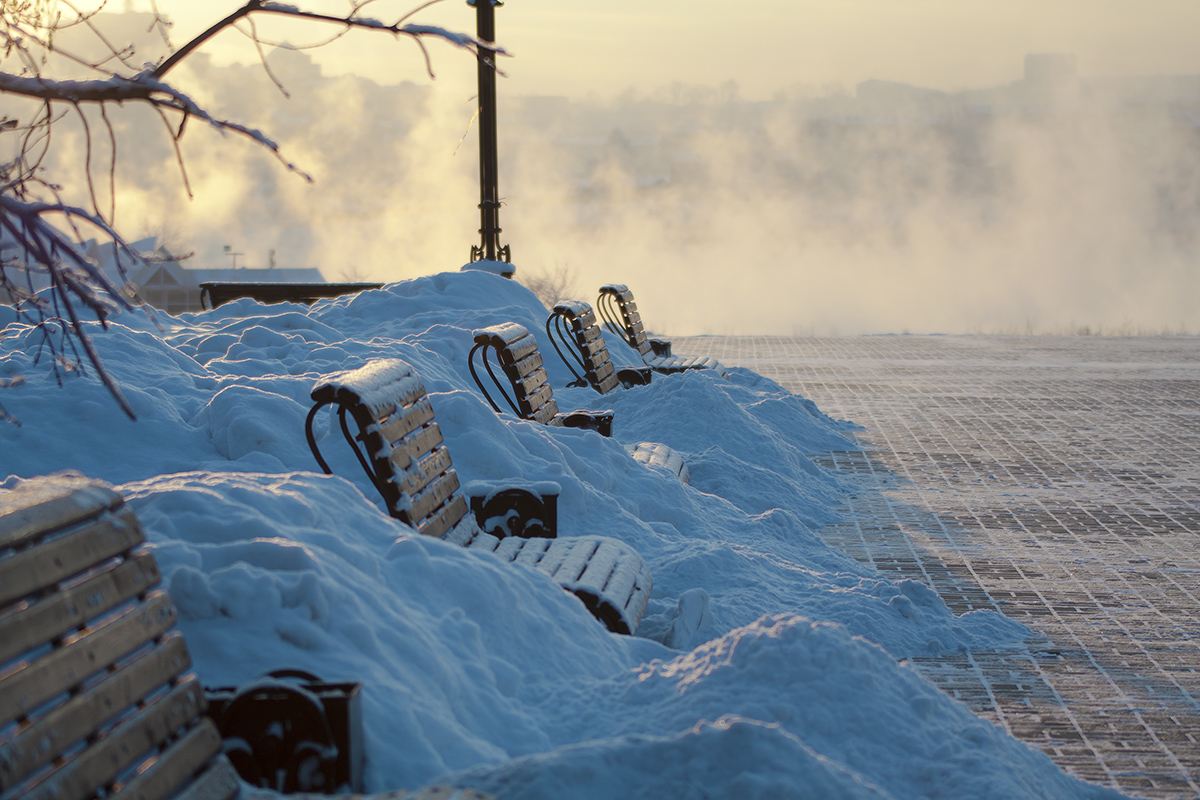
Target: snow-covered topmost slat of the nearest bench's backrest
[(33, 512)]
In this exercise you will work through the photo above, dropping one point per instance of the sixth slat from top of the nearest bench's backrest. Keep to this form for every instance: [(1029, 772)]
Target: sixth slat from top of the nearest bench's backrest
[(130, 744)]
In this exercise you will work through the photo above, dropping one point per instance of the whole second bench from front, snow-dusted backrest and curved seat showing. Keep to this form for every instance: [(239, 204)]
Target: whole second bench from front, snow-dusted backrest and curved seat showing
[(411, 467)]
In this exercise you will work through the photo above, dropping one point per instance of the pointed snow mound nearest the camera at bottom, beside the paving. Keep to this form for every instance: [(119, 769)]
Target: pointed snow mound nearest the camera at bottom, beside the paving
[(801, 709)]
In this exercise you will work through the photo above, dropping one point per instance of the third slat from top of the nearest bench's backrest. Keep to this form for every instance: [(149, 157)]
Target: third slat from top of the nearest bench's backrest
[(55, 616)]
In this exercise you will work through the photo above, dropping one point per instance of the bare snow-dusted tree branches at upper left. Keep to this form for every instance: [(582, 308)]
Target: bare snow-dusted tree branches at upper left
[(46, 233)]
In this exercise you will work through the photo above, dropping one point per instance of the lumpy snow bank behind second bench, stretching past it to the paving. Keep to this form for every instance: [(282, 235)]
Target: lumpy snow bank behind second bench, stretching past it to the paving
[(229, 390)]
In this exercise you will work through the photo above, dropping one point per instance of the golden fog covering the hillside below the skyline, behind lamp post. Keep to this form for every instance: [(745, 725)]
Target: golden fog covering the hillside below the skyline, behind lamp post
[(1057, 202)]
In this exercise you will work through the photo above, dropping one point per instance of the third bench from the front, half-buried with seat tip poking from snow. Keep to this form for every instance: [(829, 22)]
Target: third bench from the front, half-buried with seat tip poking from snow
[(514, 348)]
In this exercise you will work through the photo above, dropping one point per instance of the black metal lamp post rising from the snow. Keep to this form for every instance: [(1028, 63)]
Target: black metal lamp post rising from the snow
[(489, 194)]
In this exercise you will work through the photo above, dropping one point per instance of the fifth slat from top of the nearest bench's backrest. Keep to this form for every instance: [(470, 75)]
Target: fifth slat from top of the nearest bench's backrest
[(86, 713)]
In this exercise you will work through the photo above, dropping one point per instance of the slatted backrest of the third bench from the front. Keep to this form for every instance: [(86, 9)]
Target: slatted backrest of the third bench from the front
[(515, 351)]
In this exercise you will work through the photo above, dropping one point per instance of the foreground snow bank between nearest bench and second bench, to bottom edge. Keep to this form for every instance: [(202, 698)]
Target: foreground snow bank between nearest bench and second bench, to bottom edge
[(469, 661)]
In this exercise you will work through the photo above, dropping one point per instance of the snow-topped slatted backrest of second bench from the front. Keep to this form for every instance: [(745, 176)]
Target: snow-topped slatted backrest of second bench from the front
[(407, 459)]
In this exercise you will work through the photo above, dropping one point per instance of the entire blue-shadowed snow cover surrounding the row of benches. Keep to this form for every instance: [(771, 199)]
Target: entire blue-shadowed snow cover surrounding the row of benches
[(488, 675)]
